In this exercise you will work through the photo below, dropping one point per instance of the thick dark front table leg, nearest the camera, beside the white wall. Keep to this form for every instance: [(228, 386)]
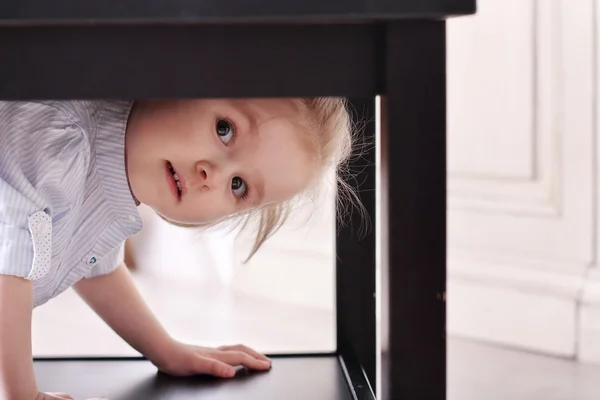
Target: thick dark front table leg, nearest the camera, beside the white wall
[(413, 211)]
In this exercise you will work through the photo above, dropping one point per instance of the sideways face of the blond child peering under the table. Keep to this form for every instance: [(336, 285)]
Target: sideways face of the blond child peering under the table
[(228, 156)]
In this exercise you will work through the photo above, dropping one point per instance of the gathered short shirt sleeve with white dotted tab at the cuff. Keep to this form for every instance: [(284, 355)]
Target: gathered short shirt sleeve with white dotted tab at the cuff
[(42, 155)]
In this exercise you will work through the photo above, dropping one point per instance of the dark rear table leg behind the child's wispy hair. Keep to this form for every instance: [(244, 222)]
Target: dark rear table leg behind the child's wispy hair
[(355, 249)]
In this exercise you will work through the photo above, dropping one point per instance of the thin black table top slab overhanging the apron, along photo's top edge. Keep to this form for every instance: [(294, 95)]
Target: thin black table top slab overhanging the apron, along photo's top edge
[(21, 12)]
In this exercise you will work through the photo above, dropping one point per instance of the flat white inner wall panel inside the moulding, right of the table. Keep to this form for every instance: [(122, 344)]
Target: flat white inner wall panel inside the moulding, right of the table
[(491, 91)]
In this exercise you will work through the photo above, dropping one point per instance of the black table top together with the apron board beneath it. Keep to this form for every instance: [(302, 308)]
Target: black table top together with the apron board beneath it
[(71, 49)]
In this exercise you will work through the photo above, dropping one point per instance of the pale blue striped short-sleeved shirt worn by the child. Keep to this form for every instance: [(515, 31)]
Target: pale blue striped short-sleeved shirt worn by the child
[(65, 203)]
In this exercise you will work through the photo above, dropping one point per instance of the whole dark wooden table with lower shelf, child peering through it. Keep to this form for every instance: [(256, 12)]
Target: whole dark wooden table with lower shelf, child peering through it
[(361, 49)]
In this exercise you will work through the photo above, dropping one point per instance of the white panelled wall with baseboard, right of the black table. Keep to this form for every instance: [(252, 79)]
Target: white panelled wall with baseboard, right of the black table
[(521, 180)]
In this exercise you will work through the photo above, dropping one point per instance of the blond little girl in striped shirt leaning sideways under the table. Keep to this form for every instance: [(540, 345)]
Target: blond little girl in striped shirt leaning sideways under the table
[(72, 174)]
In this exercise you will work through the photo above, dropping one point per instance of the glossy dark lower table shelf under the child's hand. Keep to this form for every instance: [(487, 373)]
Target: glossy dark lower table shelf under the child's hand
[(302, 377)]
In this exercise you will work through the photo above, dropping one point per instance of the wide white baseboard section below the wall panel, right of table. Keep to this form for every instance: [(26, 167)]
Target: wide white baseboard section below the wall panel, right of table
[(516, 303)]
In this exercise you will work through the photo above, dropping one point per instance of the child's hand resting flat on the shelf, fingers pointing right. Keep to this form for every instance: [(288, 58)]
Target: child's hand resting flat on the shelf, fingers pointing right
[(184, 360)]
